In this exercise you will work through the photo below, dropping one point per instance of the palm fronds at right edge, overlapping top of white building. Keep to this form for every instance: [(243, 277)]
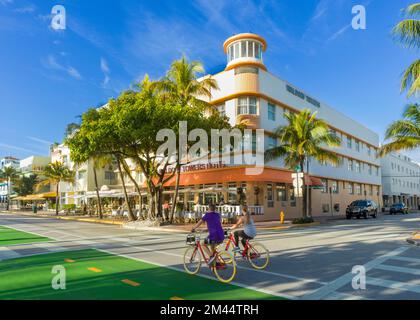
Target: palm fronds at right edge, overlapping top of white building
[(404, 134)]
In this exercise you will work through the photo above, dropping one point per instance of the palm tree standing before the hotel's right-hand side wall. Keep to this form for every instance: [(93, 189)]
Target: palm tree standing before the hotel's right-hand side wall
[(304, 137)]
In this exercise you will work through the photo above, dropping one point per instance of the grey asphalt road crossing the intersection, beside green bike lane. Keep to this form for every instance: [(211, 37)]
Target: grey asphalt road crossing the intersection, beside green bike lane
[(306, 263)]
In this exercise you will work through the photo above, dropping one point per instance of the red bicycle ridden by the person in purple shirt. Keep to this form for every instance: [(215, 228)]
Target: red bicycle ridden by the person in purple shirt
[(223, 266)]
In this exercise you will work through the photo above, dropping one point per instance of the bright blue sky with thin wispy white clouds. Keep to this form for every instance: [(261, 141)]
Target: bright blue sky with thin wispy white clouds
[(49, 77)]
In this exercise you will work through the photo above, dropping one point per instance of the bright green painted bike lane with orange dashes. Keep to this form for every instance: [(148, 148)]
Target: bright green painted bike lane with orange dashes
[(98, 274)]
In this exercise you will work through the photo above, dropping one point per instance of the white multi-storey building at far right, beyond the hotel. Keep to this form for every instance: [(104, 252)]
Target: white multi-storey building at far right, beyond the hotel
[(400, 180)]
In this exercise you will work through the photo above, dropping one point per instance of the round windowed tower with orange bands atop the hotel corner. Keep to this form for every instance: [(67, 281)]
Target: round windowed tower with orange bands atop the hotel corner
[(245, 49)]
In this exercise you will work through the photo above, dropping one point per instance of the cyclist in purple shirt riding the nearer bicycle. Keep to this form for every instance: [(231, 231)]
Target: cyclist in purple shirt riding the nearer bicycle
[(216, 233)]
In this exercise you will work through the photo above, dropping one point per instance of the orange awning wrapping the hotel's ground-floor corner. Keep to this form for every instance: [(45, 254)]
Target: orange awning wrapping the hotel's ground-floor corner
[(238, 174)]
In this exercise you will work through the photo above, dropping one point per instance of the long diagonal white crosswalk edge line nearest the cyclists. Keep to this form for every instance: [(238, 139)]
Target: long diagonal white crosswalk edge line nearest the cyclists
[(346, 278)]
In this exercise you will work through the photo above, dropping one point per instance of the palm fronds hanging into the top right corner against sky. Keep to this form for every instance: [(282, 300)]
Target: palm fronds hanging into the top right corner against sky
[(408, 33)]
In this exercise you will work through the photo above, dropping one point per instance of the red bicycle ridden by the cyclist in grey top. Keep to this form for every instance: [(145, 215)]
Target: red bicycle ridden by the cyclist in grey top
[(256, 253)]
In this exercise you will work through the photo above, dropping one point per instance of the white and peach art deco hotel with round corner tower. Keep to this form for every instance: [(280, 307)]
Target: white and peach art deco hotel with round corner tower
[(248, 91)]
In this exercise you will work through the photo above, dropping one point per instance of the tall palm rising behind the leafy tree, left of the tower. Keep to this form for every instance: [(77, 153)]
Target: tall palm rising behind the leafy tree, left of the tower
[(182, 87)]
